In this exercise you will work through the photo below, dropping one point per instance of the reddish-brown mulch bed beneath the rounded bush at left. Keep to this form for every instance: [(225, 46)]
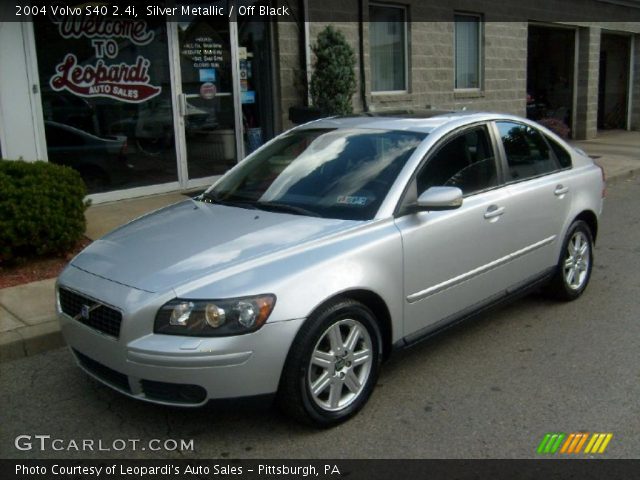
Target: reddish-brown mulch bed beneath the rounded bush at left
[(39, 268)]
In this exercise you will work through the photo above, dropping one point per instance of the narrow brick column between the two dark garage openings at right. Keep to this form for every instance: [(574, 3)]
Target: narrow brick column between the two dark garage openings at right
[(588, 73)]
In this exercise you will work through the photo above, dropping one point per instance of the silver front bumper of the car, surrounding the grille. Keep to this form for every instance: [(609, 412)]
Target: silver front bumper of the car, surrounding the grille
[(170, 369)]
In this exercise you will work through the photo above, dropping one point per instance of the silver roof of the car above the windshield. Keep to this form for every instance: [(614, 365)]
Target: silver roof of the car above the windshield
[(415, 121)]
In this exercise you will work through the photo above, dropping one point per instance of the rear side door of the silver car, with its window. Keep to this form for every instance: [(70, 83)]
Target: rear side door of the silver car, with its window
[(539, 188)]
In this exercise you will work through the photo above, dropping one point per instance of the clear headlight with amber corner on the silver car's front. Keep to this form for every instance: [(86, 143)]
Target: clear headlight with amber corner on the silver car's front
[(214, 318)]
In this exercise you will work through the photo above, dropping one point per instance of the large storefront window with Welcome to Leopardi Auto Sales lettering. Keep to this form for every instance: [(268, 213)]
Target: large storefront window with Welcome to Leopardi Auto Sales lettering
[(106, 99)]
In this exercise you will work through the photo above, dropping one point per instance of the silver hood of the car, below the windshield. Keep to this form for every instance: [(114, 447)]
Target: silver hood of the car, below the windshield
[(192, 239)]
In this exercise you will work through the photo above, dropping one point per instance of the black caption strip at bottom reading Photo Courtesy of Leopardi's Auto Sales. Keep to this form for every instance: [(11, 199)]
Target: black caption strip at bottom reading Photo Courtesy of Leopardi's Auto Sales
[(323, 469)]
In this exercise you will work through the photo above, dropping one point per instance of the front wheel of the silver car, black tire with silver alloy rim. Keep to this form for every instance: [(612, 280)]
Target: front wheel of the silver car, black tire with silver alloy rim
[(324, 355)]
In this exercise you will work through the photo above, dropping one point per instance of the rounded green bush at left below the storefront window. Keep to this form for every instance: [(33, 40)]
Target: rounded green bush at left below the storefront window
[(41, 209)]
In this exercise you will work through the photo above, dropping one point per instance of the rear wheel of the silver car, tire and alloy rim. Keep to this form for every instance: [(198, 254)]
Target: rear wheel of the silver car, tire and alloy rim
[(575, 264)]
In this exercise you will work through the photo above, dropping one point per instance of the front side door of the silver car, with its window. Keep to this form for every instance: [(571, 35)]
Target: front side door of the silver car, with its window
[(452, 258)]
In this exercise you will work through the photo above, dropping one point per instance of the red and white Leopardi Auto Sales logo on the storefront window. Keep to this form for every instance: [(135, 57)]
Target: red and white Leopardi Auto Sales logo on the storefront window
[(128, 83)]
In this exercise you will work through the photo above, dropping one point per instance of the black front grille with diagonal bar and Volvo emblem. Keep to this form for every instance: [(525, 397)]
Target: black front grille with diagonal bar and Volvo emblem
[(96, 315)]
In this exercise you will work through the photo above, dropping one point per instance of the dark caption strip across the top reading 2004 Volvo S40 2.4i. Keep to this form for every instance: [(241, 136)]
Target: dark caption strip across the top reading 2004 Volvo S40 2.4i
[(326, 10)]
